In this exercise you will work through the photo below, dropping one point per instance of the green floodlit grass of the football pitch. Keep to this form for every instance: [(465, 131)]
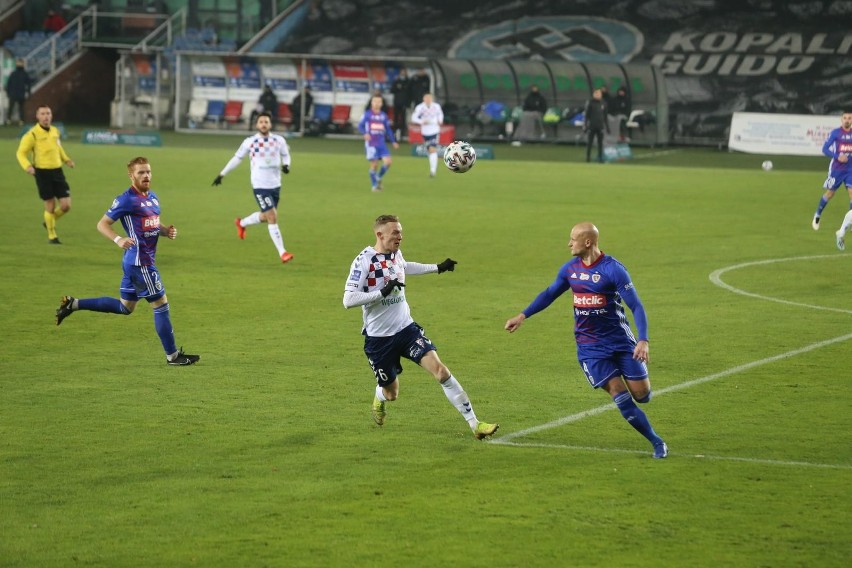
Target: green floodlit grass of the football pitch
[(264, 454)]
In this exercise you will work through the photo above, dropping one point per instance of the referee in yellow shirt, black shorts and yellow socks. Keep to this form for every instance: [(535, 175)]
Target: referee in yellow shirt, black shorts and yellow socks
[(41, 143)]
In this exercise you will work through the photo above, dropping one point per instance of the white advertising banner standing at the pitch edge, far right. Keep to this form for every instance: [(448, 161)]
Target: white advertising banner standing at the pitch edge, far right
[(790, 134)]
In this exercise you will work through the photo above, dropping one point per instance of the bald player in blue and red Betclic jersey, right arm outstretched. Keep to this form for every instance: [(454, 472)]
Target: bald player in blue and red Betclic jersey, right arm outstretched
[(610, 355)]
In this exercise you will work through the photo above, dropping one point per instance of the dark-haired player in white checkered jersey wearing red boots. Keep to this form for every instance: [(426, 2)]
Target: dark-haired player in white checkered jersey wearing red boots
[(270, 157)]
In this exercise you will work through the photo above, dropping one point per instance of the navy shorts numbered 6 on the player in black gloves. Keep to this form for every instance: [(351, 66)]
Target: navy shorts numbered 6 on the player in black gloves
[(385, 353)]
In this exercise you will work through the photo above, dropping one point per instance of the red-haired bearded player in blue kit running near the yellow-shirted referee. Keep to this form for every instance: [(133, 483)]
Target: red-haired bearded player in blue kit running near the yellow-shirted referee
[(138, 209)]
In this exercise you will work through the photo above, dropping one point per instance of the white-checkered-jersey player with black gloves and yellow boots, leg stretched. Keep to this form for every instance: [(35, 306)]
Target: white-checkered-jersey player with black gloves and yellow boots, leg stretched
[(376, 282)]
